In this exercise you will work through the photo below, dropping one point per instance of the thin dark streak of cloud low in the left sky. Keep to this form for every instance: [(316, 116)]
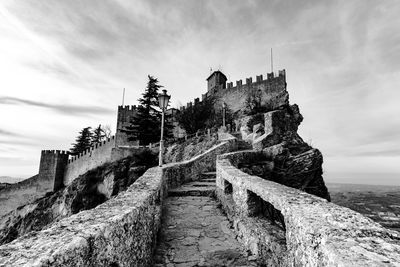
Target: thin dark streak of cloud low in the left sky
[(65, 109)]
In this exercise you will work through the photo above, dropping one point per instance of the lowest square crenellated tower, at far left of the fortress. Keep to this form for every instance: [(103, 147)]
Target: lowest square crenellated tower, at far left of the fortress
[(51, 170)]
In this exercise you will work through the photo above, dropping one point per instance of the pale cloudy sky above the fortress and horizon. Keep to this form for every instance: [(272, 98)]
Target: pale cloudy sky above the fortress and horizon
[(64, 65)]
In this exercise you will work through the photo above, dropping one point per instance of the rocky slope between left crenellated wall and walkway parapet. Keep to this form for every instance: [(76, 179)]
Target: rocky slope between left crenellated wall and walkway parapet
[(84, 193)]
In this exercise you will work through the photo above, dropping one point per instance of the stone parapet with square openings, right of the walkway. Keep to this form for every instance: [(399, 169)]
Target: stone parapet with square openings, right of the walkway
[(287, 227)]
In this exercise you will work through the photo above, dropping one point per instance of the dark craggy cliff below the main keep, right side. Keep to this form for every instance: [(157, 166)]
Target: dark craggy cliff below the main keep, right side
[(285, 158)]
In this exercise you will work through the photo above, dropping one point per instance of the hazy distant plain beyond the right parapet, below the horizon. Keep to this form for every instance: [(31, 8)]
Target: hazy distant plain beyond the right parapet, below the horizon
[(381, 203)]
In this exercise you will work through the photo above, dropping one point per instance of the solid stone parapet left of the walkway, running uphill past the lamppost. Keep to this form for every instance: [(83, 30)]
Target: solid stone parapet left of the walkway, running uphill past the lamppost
[(120, 232)]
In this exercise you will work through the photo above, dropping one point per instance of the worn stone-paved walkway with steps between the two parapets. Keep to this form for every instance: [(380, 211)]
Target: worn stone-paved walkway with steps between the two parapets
[(195, 232)]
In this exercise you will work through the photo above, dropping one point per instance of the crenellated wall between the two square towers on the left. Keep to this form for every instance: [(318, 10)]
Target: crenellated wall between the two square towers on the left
[(89, 159)]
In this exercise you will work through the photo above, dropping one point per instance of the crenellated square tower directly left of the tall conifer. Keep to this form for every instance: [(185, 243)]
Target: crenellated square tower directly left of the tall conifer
[(126, 114)]
